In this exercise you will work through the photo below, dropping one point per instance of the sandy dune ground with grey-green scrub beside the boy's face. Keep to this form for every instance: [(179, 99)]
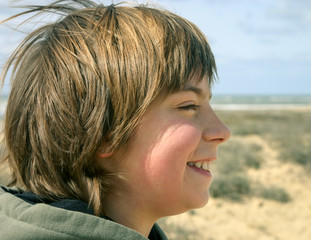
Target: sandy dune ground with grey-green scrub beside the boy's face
[(261, 187)]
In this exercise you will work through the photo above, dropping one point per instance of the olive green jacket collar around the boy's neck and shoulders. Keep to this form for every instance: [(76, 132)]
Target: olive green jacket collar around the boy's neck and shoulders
[(22, 220)]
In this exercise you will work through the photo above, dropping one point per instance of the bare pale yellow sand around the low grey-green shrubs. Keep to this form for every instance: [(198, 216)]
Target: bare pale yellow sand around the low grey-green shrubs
[(253, 218)]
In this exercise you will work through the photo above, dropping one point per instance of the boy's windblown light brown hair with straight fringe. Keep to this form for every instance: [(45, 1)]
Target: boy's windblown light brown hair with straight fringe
[(87, 79)]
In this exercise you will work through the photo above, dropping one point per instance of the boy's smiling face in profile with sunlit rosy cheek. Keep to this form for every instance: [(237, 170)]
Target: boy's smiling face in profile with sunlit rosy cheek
[(175, 134)]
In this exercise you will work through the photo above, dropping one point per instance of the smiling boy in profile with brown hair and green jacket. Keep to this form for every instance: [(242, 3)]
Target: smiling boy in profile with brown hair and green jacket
[(108, 124)]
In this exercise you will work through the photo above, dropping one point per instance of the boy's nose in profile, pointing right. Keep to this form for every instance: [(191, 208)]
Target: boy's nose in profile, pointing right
[(215, 129)]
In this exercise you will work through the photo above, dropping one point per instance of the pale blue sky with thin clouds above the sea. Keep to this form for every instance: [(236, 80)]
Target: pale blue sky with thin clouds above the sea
[(262, 47)]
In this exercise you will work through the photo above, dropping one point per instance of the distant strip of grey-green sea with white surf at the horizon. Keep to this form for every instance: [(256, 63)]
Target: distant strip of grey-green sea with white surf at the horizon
[(240, 102)]
